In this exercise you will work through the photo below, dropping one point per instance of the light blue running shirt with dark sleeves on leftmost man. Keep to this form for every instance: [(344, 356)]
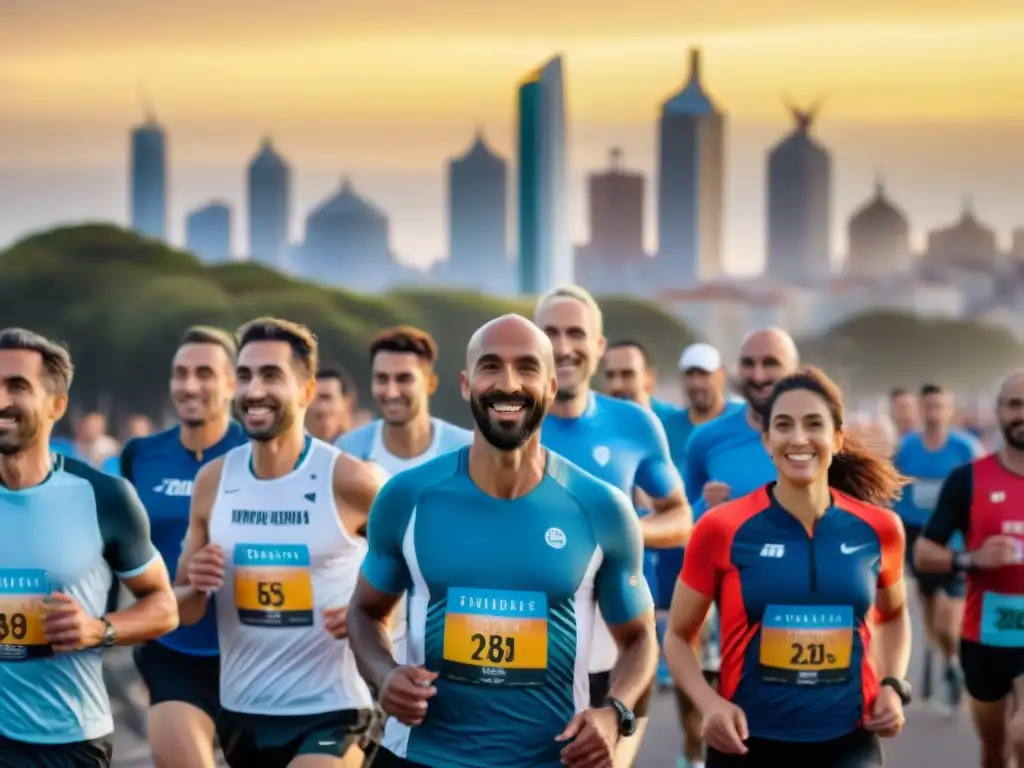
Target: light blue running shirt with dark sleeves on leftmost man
[(74, 534)]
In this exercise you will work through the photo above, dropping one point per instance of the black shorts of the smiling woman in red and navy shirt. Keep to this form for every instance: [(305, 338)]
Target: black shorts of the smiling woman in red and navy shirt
[(857, 750)]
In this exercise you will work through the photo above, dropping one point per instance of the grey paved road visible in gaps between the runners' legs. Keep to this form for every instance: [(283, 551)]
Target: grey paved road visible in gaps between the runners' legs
[(930, 741)]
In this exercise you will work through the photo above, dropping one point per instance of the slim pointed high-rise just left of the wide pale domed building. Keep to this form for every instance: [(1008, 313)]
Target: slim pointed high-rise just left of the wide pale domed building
[(269, 188)]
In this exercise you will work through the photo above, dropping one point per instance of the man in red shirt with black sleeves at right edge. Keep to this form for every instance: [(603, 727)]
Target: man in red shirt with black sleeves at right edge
[(985, 502)]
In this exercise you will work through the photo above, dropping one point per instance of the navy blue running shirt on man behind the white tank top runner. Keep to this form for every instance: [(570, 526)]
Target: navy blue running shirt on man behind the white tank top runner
[(163, 473)]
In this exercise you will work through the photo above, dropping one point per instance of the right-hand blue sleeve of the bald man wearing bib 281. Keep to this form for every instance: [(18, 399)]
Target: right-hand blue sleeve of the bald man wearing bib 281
[(623, 593)]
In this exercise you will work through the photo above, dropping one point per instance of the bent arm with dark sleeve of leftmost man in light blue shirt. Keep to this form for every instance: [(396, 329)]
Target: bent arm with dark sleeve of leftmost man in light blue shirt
[(130, 551)]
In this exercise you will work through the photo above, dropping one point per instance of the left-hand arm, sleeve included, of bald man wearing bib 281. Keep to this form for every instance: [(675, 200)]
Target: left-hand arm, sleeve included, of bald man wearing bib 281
[(383, 580)]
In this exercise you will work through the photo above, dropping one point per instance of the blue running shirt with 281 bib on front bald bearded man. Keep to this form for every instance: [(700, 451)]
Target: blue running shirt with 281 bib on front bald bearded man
[(499, 593)]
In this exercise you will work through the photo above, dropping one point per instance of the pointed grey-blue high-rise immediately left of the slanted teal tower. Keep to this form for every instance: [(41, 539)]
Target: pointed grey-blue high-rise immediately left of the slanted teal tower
[(478, 188)]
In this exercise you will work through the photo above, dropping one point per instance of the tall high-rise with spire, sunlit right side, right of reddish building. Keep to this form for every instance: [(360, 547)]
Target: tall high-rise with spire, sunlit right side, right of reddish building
[(692, 183)]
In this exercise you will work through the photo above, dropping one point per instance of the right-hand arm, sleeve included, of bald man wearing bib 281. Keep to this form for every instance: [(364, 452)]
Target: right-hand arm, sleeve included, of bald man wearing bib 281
[(625, 599)]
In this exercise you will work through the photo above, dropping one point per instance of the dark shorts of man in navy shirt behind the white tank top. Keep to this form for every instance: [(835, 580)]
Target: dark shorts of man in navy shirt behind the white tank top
[(174, 676)]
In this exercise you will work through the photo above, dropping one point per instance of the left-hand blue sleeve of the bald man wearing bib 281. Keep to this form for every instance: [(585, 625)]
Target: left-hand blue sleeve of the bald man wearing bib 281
[(385, 566)]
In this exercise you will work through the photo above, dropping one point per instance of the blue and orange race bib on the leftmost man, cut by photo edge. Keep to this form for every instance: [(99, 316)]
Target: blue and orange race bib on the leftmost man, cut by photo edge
[(23, 635)]
